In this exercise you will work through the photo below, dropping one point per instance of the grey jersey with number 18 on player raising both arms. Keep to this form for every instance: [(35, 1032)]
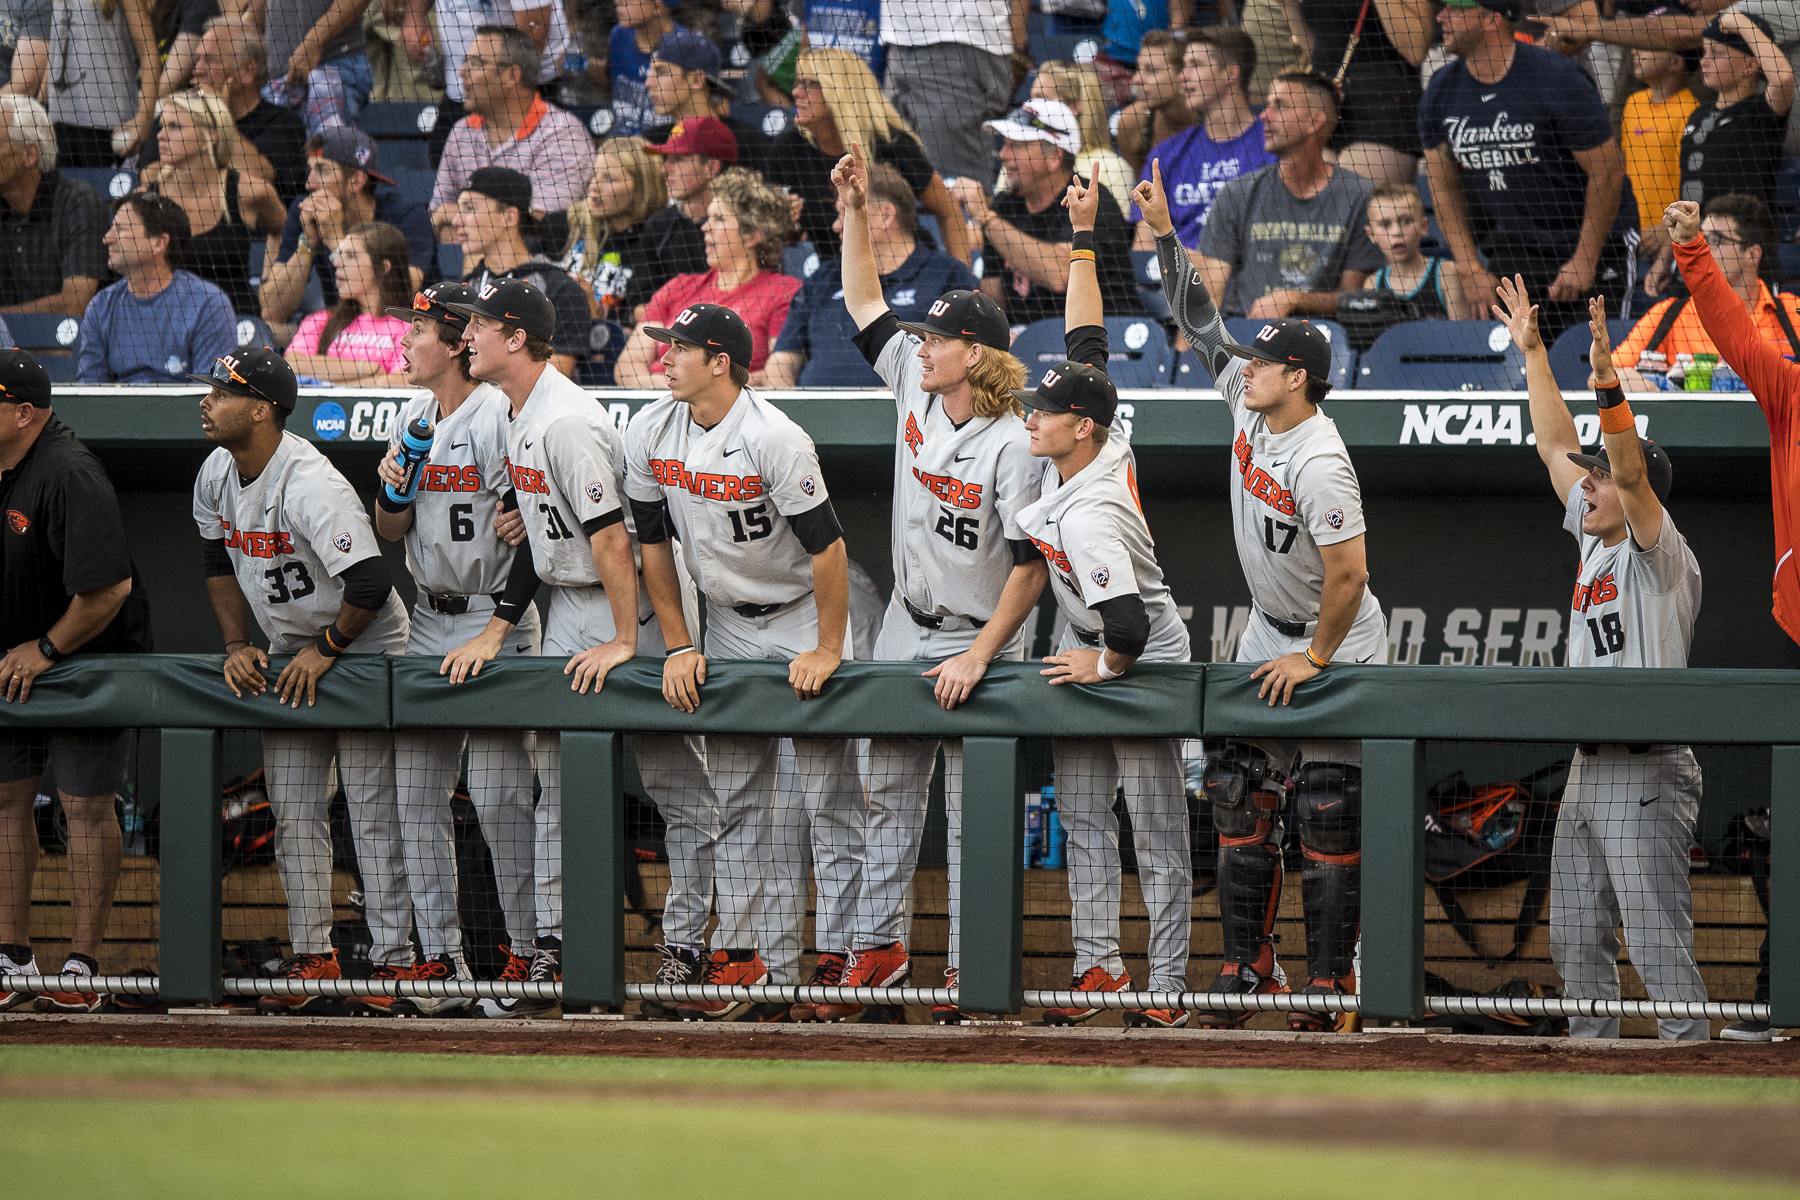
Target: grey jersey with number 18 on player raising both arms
[(1633, 607)]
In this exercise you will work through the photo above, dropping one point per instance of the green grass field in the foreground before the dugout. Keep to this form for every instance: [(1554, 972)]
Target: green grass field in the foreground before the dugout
[(201, 1124)]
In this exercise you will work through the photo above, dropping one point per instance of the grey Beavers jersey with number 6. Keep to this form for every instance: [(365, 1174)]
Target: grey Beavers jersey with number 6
[(451, 544)]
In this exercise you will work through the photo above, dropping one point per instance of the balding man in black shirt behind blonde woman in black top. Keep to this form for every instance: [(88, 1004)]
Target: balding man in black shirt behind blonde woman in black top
[(233, 66)]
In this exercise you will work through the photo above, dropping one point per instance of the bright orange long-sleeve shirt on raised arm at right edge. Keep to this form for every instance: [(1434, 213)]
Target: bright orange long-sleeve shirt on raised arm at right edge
[(1776, 384)]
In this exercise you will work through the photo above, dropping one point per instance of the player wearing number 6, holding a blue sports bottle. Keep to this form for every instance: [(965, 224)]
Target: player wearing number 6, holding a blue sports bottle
[(462, 568)]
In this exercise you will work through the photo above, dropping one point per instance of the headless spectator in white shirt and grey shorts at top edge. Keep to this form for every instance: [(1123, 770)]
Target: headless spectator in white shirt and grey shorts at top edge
[(949, 69)]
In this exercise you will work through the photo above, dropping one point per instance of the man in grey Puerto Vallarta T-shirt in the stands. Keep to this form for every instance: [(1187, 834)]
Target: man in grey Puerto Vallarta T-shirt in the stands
[(1288, 240)]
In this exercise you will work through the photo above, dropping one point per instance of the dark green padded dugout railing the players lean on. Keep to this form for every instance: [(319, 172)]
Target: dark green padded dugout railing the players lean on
[(1394, 715)]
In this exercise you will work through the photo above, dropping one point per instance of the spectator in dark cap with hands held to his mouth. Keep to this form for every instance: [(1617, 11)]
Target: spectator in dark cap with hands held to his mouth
[(343, 183)]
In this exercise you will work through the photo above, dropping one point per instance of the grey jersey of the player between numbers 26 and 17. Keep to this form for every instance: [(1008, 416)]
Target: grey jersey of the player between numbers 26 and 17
[(1099, 548)]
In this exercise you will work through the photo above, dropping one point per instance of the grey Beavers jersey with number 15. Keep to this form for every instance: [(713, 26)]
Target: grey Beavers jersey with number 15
[(732, 492)]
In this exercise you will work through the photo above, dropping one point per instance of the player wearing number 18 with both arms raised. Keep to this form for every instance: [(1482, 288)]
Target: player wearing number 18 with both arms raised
[(1628, 812)]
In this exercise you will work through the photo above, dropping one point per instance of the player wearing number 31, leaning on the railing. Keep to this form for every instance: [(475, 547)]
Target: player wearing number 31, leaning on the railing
[(564, 460)]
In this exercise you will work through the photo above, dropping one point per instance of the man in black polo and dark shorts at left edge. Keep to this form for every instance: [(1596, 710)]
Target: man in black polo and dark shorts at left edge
[(67, 586)]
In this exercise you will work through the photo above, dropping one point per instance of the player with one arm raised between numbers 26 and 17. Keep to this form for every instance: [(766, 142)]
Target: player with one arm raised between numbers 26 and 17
[(1108, 586)]
